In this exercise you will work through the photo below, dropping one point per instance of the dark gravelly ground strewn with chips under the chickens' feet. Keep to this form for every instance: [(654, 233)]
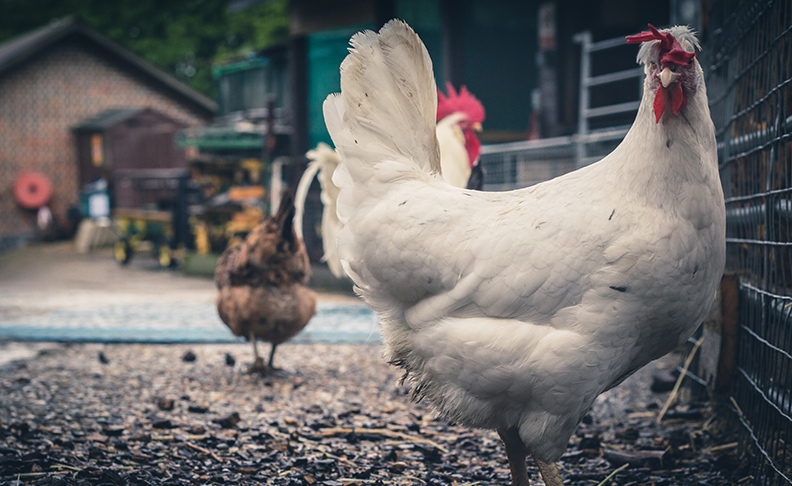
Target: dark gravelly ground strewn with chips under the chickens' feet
[(334, 415)]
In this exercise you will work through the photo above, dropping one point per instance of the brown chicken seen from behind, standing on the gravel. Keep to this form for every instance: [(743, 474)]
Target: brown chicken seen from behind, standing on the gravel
[(261, 283)]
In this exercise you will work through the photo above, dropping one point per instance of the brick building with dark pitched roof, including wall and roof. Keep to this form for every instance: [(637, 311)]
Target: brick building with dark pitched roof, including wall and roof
[(59, 77)]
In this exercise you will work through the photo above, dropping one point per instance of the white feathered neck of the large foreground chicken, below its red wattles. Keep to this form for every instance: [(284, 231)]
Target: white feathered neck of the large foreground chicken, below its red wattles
[(661, 159)]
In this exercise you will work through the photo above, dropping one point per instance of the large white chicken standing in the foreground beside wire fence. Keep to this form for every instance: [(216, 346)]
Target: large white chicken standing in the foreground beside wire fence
[(515, 310)]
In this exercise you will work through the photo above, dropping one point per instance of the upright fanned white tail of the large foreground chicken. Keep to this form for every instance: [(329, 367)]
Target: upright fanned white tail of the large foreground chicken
[(383, 121)]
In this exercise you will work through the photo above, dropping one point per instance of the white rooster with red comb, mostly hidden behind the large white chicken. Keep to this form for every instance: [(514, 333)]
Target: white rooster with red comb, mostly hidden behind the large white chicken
[(459, 117)]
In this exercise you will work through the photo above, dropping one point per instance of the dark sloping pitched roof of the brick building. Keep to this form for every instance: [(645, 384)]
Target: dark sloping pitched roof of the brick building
[(19, 49)]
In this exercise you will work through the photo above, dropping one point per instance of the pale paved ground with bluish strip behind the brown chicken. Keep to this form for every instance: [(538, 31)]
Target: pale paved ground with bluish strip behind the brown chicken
[(49, 292)]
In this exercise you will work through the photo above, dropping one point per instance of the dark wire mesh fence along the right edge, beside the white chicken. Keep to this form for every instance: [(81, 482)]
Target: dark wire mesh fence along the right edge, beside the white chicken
[(748, 61)]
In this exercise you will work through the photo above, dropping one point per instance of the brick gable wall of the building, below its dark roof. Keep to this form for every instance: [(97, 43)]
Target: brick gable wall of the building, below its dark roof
[(41, 100)]
